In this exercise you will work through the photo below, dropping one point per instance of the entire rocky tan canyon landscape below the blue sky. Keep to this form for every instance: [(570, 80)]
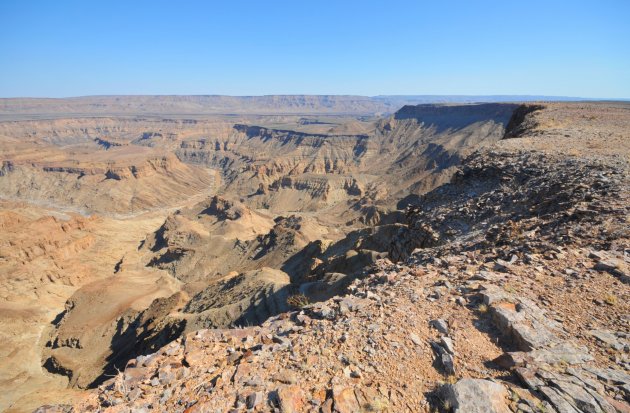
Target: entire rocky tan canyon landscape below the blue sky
[(308, 254)]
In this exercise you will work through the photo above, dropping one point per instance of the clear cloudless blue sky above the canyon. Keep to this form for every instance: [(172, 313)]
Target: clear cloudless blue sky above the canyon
[(62, 48)]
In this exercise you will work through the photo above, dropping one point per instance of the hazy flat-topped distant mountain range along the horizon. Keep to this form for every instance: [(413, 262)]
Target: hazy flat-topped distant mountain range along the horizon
[(199, 105)]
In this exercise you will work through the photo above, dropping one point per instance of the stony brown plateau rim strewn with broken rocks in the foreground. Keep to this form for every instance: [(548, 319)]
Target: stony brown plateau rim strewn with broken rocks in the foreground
[(506, 290)]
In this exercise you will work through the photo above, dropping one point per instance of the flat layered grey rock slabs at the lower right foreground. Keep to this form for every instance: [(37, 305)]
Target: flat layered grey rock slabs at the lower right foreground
[(577, 387)]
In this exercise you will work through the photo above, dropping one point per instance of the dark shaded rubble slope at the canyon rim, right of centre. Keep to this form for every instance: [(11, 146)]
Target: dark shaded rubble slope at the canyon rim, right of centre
[(503, 194)]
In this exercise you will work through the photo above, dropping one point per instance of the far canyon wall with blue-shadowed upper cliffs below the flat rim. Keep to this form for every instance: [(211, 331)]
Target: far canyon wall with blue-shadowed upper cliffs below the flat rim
[(410, 151)]
